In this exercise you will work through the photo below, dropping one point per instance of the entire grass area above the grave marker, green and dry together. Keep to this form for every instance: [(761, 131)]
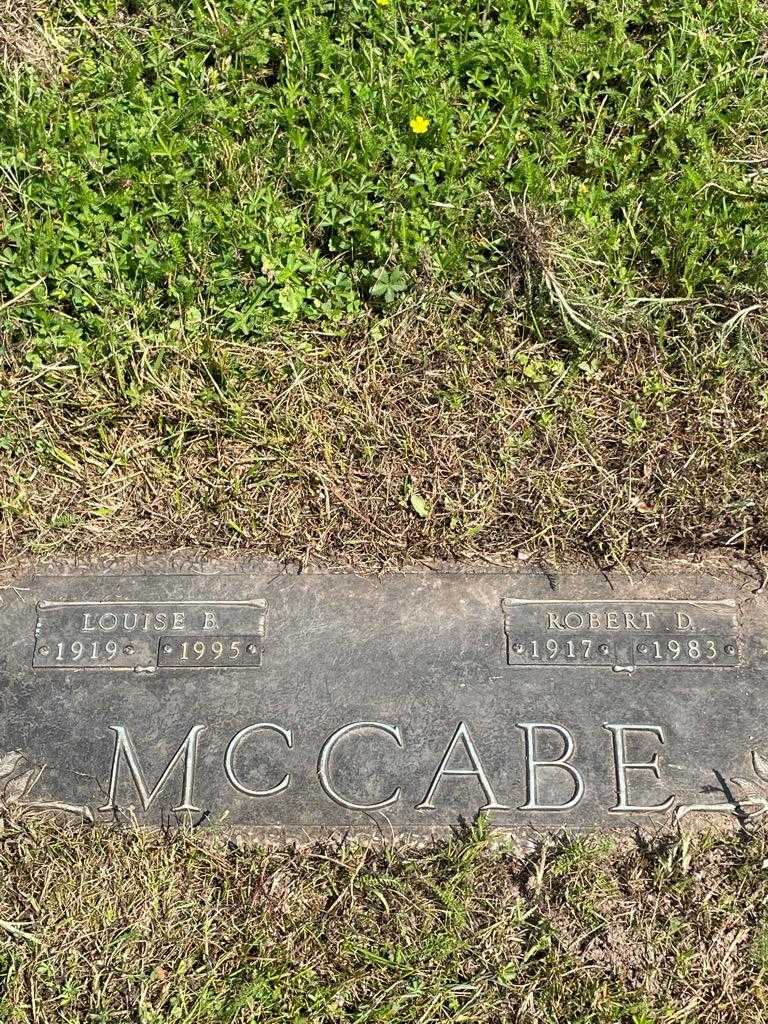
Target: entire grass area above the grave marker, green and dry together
[(243, 303)]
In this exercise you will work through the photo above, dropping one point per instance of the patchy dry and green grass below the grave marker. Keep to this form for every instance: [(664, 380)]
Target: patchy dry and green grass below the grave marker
[(109, 926)]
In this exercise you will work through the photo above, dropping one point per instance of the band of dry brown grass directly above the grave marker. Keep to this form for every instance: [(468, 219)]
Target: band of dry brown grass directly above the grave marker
[(423, 438)]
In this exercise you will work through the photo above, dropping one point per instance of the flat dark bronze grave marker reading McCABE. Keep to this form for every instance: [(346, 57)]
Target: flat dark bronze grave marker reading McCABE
[(298, 704)]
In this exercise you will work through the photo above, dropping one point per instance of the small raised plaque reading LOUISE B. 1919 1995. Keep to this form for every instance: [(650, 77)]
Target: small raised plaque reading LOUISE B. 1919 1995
[(143, 636)]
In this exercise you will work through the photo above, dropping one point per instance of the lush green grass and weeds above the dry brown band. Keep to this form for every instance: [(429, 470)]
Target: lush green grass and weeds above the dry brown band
[(245, 163)]
